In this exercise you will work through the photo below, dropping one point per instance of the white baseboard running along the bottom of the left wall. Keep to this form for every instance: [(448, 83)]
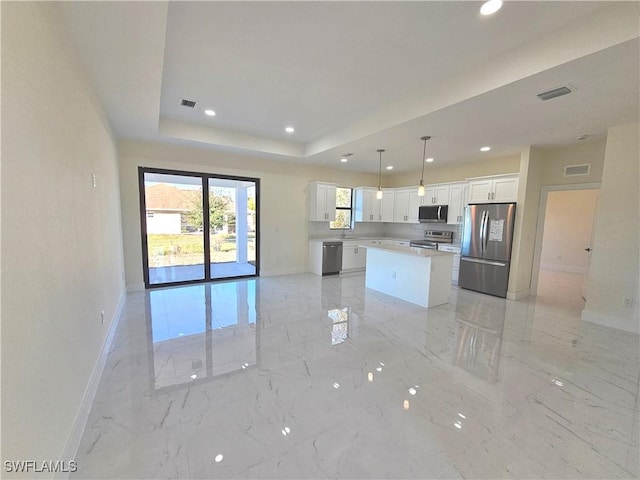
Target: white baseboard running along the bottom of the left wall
[(80, 422)]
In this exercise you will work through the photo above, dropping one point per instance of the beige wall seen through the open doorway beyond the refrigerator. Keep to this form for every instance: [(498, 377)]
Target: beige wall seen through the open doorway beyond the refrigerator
[(567, 230)]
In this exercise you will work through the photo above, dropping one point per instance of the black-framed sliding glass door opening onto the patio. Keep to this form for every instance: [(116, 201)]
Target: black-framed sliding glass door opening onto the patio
[(179, 239)]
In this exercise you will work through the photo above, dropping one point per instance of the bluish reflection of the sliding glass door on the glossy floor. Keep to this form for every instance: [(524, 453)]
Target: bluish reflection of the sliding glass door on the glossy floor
[(200, 332)]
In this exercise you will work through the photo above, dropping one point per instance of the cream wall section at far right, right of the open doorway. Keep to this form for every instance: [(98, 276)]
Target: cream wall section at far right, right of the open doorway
[(613, 274)]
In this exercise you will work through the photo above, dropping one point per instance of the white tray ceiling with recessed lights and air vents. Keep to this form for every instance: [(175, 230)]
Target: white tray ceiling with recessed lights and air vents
[(358, 76)]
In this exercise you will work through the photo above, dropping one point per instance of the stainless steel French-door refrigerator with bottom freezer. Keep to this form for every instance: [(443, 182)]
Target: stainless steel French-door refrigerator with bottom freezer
[(486, 247)]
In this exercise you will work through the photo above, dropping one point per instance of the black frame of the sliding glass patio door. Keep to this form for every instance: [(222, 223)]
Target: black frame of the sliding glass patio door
[(204, 176)]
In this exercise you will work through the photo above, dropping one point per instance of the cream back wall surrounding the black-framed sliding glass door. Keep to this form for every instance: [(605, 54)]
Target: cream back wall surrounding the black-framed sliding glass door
[(284, 209)]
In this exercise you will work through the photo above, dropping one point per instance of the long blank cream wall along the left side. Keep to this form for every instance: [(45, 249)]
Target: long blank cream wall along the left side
[(62, 260)]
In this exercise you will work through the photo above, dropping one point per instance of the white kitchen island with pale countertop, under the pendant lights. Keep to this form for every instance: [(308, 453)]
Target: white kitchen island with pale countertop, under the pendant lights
[(415, 275)]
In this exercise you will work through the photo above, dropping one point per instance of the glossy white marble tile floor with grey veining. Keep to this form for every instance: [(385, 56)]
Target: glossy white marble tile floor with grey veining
[(317, 377)]
